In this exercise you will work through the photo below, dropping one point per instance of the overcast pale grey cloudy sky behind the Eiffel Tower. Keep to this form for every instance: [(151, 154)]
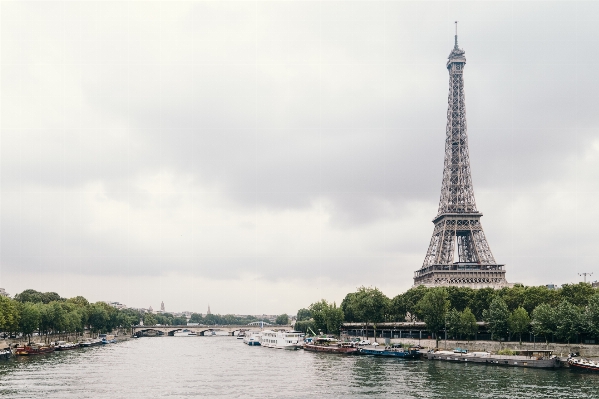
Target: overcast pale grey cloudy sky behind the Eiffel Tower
[(260, 156)]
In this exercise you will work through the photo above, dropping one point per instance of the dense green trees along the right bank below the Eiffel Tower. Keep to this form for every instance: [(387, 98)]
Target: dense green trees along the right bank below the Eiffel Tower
[(569, 314)]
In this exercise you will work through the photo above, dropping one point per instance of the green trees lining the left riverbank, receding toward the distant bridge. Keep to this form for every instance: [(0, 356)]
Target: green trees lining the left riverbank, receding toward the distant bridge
[(46, 316)]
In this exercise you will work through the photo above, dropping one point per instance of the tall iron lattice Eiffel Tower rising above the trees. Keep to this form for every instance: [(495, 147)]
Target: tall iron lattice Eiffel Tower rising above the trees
[(458, 220)]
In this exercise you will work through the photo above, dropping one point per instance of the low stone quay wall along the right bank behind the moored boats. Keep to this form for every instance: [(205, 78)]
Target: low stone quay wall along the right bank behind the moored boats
[(562, 350)]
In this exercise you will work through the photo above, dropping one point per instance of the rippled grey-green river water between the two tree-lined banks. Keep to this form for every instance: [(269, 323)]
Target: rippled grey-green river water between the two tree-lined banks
[(198, 367)]
